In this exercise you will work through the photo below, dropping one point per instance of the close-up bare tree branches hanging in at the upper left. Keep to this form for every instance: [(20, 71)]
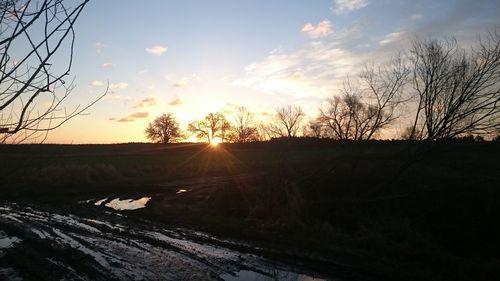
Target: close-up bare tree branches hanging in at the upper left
[(33, 36)]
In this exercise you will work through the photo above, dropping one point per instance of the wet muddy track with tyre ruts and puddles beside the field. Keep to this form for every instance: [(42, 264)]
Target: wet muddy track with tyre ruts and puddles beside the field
[(103, 243)]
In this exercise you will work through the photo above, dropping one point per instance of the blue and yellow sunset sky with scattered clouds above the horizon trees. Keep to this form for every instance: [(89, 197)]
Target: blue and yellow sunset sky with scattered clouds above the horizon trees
[(194, 57)]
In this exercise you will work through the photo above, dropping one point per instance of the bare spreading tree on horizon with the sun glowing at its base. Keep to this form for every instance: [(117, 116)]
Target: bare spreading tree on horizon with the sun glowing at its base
[(212, 126)]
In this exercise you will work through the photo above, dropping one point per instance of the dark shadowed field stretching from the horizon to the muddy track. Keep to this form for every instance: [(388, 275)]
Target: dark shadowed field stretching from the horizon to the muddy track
[(354, 210)]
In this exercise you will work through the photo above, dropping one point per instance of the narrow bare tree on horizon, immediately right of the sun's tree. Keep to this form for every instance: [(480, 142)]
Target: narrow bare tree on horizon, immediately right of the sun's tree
[(244, 129)]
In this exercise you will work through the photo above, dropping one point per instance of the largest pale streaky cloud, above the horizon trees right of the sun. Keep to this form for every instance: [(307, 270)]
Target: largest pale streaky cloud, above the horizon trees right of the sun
[(311, 71)]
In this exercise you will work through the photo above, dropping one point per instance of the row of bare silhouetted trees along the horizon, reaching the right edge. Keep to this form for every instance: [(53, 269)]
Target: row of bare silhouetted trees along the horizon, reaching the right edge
[(446, 89)]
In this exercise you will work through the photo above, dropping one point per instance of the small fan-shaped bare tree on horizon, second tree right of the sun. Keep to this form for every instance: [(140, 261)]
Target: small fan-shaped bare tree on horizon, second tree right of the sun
[(286, 122)]
